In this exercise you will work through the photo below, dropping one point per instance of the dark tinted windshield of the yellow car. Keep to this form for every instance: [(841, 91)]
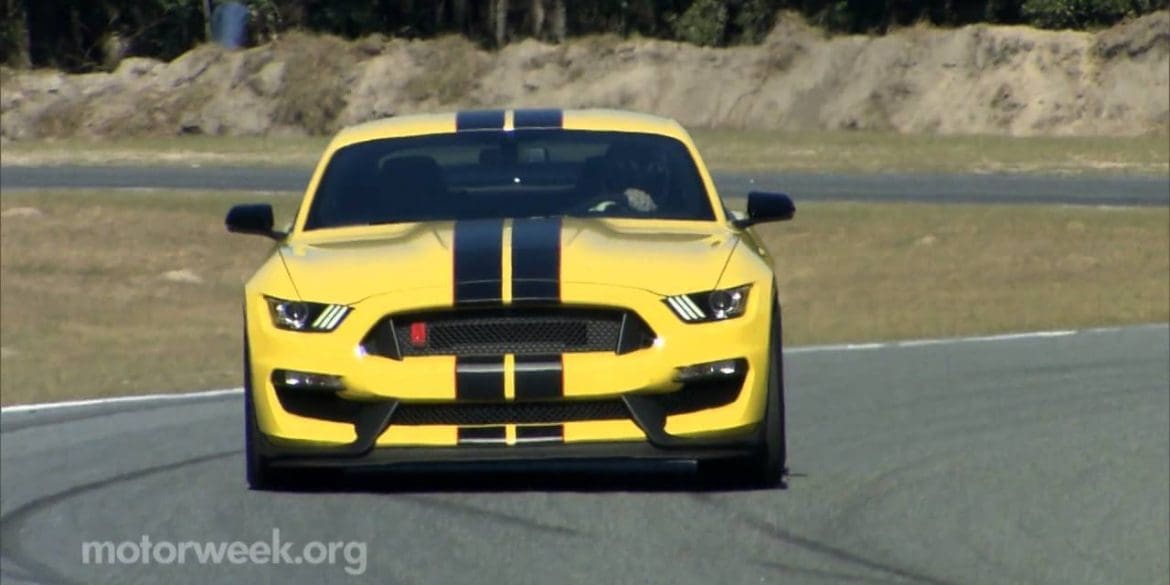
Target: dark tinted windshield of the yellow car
[(510, 175)]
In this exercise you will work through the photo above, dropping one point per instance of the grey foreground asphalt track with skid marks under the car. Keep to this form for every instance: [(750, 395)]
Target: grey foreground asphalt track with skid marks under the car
[(1014, 460)]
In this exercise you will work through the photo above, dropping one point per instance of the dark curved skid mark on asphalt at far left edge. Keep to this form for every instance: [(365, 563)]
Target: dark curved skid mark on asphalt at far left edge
[(11, 545)]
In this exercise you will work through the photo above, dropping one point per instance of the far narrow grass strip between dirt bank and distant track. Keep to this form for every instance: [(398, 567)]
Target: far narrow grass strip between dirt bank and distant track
[(726, 150)]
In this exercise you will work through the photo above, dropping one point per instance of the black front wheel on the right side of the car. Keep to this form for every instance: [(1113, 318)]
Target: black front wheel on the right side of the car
[(768, 466)]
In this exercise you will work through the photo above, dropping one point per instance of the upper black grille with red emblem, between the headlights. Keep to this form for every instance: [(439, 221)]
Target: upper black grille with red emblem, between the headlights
[(521, 332)]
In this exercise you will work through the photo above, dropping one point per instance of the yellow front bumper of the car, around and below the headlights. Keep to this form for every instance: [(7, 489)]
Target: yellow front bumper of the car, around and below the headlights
[(359, 422)]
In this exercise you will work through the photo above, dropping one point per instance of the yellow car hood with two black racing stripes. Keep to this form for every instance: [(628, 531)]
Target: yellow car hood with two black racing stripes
[(349, 265)]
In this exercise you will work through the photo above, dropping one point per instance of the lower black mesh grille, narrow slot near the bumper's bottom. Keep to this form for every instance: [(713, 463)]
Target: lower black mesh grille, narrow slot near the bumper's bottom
[(521, 414)]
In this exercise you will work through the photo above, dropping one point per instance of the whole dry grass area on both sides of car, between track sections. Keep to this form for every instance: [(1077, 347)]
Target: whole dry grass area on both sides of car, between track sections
[(88, 309)]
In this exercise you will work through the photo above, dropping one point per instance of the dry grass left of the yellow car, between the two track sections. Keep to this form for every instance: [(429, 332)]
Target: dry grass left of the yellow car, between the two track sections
[(87, 311)]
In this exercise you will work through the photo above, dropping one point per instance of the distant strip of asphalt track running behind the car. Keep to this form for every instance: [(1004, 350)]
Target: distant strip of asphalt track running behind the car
[(987, 189)]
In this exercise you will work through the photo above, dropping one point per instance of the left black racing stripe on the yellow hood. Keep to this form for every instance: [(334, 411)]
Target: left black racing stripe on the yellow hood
[(479, 261)]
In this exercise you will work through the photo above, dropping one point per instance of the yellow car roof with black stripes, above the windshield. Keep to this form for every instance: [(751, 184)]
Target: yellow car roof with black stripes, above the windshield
[(596, 120)]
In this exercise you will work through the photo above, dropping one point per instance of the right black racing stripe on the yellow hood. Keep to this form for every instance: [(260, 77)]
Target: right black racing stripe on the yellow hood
[(536, 260)]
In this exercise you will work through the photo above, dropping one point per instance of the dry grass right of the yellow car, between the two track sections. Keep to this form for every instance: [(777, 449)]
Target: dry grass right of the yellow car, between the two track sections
[(869, 272)]
